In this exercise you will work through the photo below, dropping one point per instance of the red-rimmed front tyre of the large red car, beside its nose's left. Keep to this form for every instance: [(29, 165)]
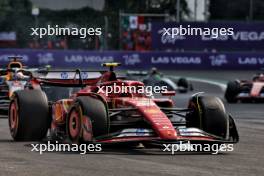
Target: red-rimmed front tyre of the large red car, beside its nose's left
[(88, 118)]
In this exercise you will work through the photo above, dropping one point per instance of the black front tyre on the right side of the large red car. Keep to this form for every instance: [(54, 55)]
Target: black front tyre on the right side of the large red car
[(209, 115)]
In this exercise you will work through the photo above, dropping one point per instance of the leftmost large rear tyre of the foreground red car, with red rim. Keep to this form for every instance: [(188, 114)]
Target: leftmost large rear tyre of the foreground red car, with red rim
[(28, 115)]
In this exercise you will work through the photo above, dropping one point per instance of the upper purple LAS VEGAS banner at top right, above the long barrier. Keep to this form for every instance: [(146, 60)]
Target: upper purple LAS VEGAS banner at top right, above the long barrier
[(247, 36)]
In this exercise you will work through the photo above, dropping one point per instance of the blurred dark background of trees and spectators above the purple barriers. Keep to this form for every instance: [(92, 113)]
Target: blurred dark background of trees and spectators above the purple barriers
[(132, 18)]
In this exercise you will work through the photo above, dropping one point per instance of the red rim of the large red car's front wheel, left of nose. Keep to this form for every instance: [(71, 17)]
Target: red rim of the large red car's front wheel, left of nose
[(74, 124)]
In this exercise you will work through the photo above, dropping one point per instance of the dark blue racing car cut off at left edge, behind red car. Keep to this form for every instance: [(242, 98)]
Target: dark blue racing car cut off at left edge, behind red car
[(12, 78)]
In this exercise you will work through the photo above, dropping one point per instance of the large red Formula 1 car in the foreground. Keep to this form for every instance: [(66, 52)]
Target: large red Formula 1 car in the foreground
[(92, 114)]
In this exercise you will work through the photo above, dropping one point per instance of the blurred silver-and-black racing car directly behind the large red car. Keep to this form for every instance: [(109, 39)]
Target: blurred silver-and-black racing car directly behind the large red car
[(155, 78)]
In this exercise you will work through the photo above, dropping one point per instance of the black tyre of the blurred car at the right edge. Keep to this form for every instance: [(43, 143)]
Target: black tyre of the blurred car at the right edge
[(232, 91)]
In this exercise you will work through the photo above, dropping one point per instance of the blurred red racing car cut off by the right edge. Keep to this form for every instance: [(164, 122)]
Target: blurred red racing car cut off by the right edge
[(245, 90)]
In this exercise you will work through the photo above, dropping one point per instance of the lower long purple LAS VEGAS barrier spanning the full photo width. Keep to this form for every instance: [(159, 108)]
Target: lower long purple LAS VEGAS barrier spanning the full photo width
[(137, 60)]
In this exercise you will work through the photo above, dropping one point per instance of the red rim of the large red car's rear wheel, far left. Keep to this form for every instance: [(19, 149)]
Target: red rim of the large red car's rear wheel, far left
[(13, 118)]
